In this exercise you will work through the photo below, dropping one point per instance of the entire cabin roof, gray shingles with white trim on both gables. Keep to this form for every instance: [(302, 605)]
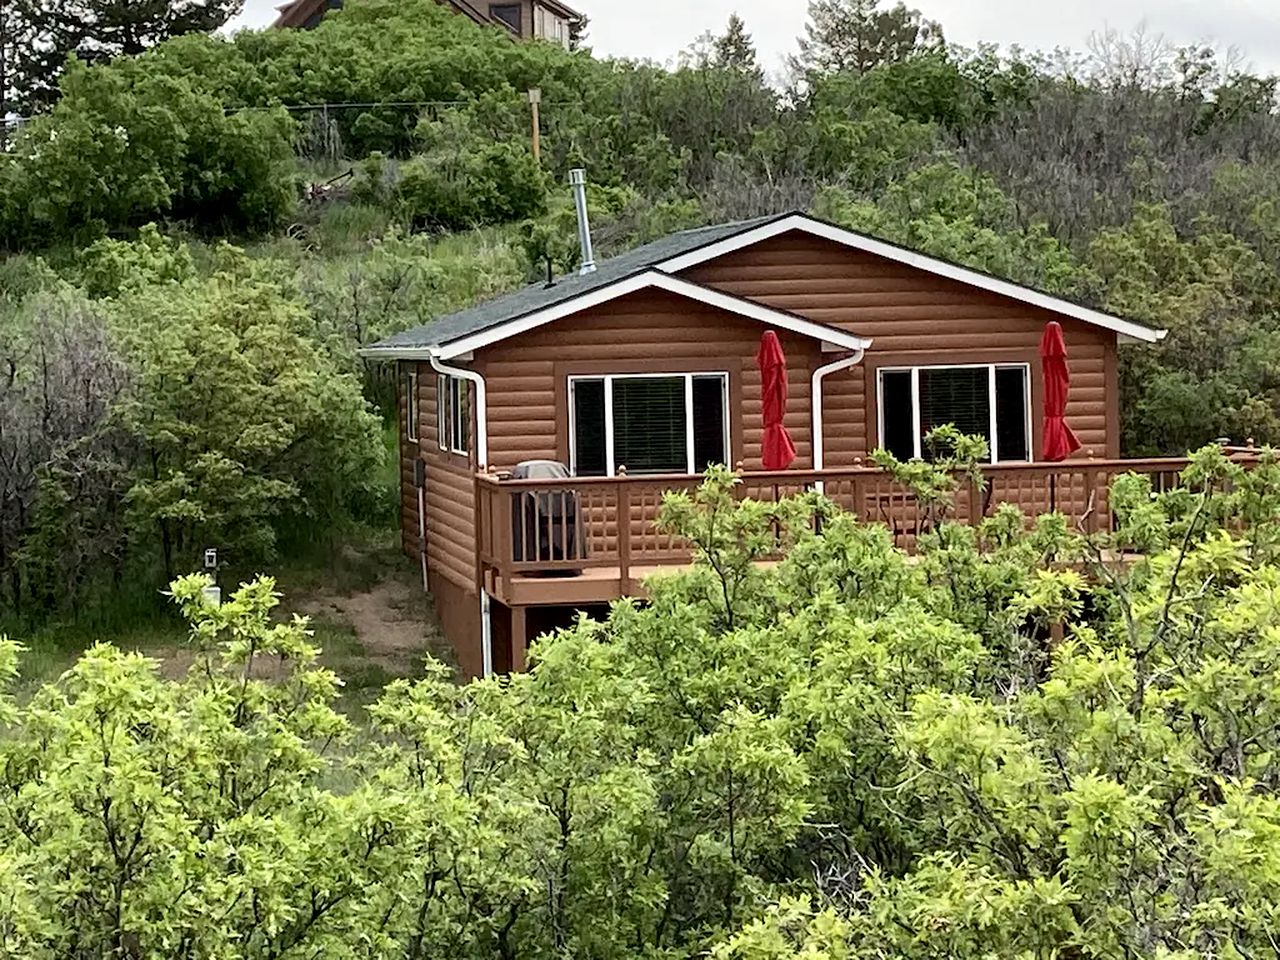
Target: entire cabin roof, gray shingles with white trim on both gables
[(656, 266)]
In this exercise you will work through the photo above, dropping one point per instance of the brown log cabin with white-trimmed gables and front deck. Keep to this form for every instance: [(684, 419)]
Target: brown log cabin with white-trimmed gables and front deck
[(541, 431)]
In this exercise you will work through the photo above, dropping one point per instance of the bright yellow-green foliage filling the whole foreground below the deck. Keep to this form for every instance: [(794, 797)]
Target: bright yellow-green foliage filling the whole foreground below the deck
[(845, 753)]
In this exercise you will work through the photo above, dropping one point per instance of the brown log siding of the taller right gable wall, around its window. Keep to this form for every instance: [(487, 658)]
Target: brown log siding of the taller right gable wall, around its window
[(915, 319)]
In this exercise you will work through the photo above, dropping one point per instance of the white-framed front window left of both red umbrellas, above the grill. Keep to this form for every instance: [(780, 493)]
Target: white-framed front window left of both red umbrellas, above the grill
[(648, 423)]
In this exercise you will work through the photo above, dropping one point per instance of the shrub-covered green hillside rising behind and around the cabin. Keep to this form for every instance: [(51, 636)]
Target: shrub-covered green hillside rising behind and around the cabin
[(1150, 188)]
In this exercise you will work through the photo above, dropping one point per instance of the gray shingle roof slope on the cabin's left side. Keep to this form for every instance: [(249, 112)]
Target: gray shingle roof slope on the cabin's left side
[(531, 300)]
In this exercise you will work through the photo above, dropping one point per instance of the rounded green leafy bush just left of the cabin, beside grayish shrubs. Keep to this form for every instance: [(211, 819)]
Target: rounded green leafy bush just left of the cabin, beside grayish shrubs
[(243, 419)]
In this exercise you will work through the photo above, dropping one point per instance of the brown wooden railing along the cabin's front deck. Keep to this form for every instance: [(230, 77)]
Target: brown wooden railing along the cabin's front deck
[(563, 528)]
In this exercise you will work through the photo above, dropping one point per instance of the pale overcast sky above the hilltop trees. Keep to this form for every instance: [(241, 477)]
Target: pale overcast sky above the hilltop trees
[(659, 30)]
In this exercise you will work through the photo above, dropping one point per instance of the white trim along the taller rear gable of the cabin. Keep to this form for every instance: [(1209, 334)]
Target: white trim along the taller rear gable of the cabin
[(1127, 330)]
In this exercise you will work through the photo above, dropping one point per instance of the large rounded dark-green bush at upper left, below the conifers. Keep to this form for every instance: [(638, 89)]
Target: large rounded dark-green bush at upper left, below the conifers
[(124, 148)]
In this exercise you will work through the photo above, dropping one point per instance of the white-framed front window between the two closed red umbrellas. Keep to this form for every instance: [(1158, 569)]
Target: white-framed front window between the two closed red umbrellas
[(988, 400)]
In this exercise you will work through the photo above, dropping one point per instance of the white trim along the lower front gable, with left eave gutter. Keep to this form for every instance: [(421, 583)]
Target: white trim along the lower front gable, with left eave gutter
[(651, 280)]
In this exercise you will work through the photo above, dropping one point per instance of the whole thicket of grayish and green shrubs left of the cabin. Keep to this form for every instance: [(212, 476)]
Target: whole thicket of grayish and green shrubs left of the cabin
[(171, 413)]
